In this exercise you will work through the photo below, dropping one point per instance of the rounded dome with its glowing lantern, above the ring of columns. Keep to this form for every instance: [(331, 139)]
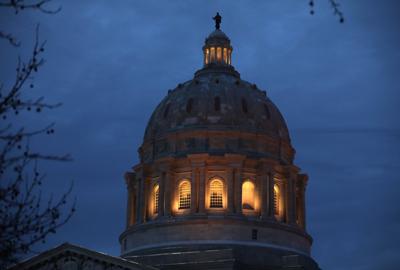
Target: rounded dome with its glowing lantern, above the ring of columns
[(217, 100)]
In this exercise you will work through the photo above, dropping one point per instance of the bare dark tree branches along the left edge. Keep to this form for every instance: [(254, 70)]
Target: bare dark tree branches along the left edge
[(25, 219)]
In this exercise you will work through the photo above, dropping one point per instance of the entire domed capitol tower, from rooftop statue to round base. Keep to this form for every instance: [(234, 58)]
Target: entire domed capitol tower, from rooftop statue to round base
[(216, 186)]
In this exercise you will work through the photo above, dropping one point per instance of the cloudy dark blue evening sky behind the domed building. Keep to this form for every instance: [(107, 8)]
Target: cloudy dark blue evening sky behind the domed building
[(337, 85)]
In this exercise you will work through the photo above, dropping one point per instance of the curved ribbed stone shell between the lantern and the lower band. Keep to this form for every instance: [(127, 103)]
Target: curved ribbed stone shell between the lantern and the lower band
[(216, 101)]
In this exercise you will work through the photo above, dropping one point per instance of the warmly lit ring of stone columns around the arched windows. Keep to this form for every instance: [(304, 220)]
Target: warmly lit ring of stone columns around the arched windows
[(291, 197)]
